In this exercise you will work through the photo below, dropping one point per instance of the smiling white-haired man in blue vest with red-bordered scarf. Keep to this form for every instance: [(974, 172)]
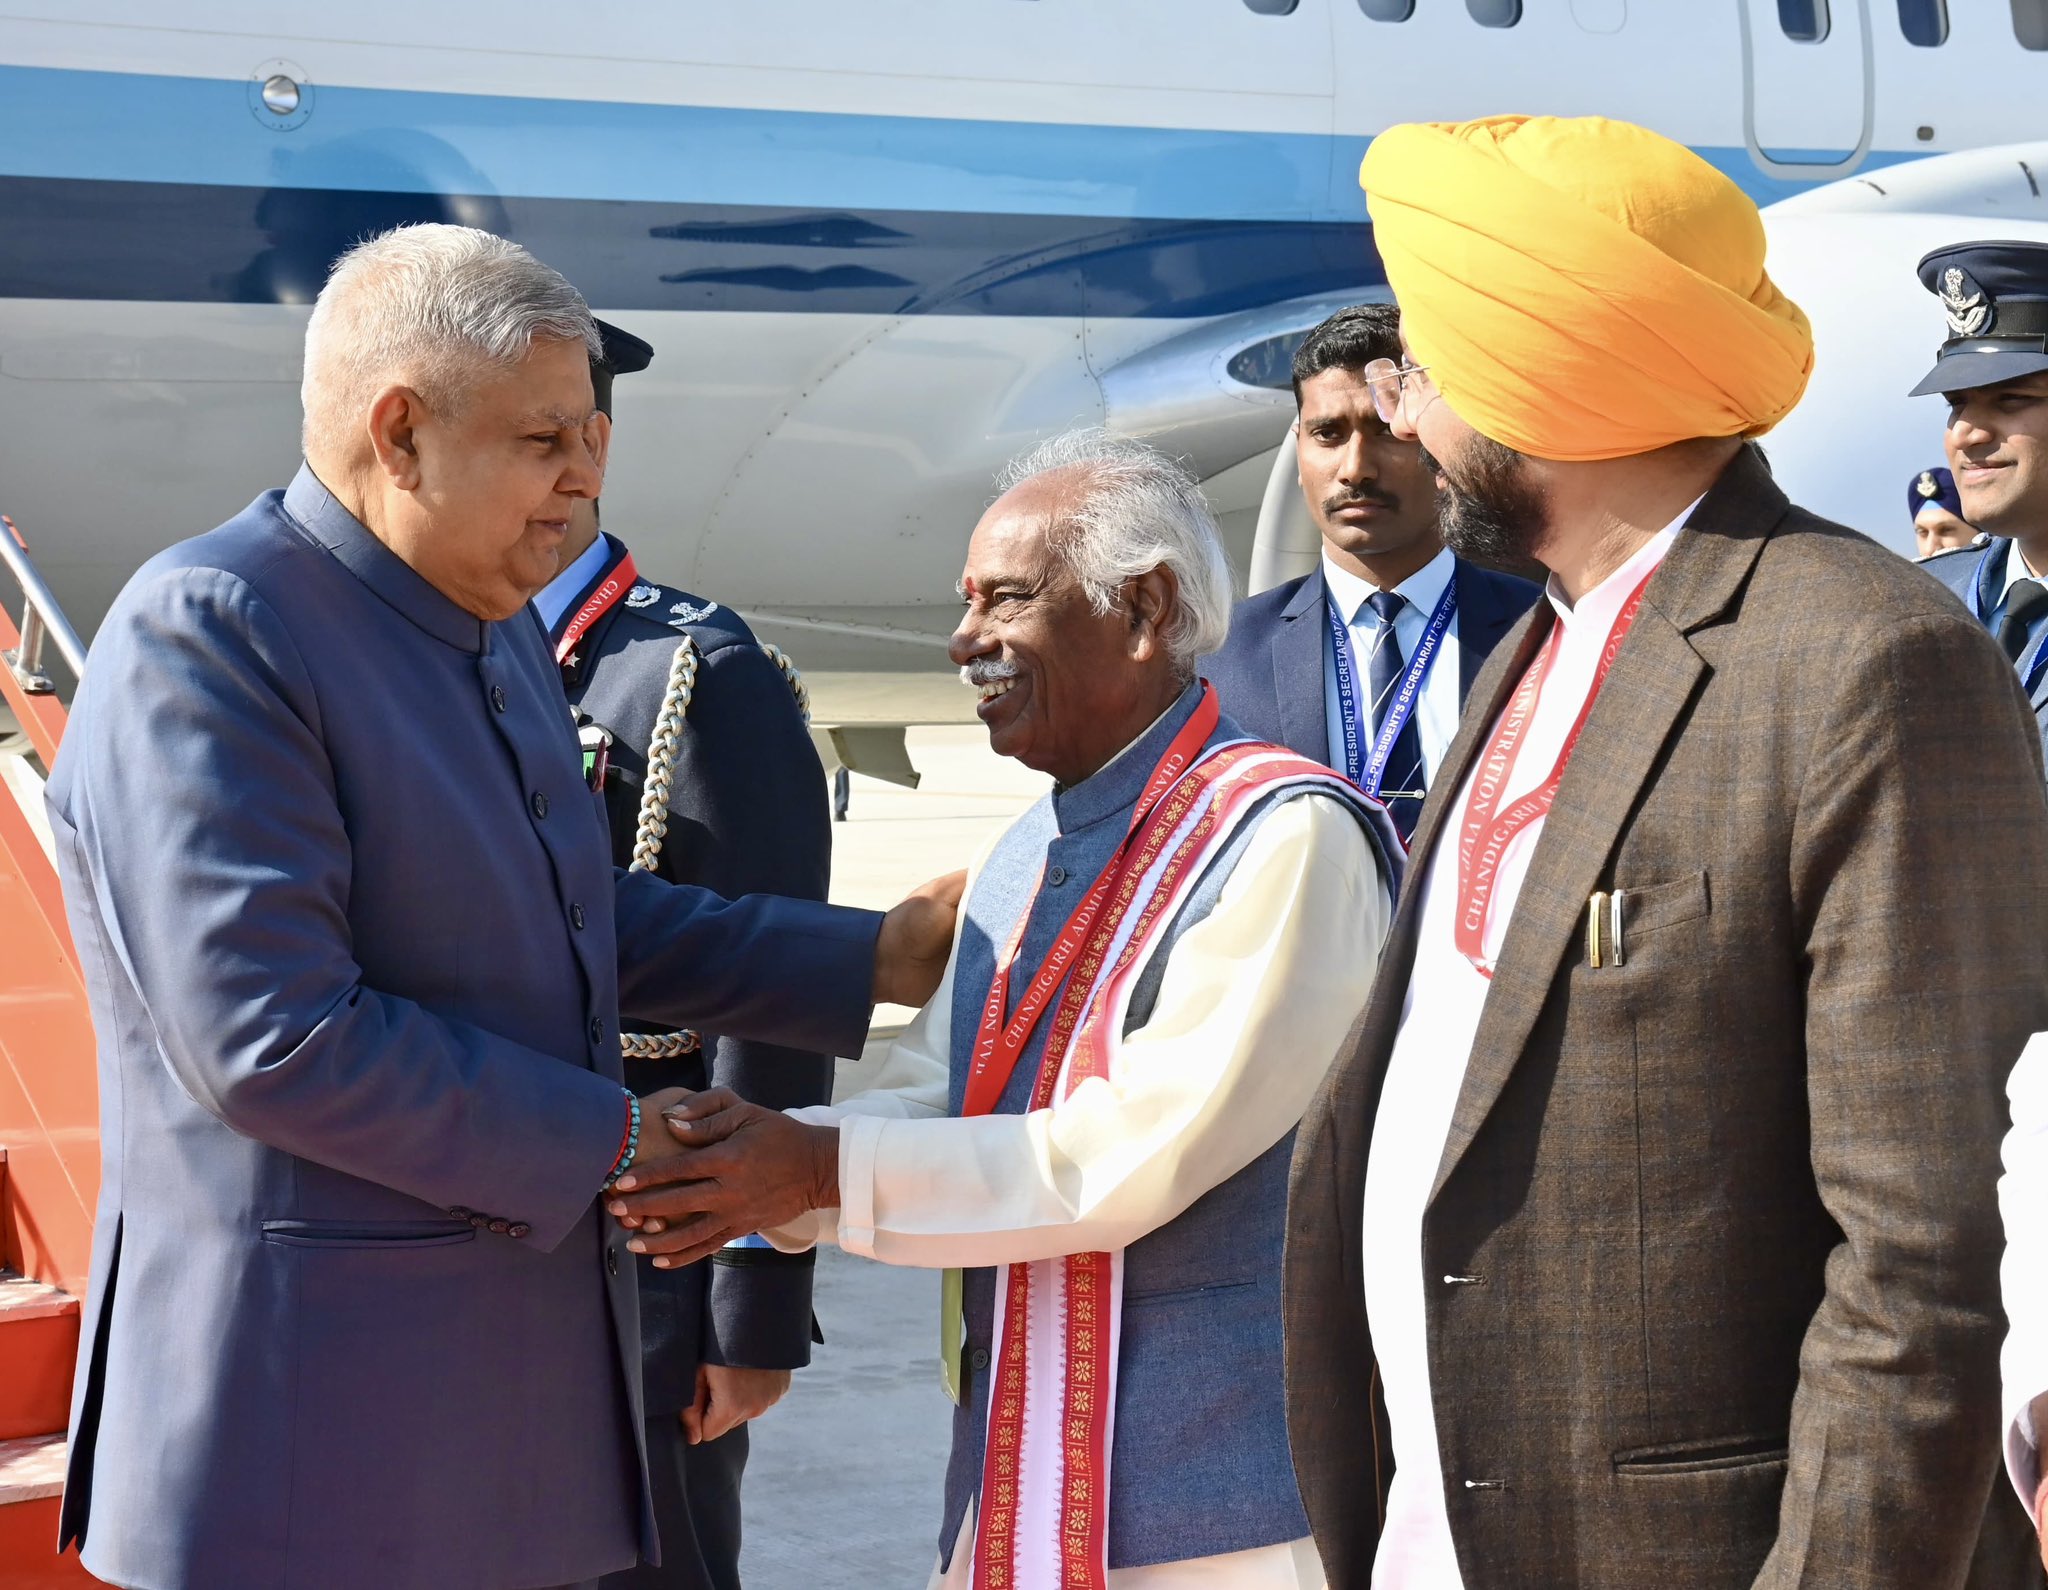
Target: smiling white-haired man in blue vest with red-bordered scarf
[(1093, 1116)]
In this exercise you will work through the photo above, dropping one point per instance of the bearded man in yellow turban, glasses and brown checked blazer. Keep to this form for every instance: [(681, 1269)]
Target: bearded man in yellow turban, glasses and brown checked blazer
[(1644, 1232)]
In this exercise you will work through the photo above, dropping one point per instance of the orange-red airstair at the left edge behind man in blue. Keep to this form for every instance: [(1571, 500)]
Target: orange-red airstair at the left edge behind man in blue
[(50, 1140)]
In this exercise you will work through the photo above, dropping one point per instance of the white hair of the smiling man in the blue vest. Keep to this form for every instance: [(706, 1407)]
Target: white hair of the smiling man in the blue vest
[(1138, 511)]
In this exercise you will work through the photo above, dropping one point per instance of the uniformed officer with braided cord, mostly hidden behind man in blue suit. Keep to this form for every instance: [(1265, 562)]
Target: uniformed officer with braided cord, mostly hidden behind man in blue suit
[(697, 737)]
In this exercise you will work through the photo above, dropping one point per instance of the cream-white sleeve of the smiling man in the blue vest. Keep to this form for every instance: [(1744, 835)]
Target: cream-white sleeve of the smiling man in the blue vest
[(1248, 1019)]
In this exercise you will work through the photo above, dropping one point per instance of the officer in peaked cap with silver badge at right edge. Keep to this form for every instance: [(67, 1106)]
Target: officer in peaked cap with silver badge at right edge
[(1994, 374)]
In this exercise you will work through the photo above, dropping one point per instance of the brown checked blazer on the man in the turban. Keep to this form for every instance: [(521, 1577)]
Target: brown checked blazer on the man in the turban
[(1730, 1206)]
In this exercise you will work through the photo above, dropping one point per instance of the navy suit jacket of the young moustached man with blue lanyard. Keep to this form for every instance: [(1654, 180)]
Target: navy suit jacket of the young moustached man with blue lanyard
[(1271, 671)]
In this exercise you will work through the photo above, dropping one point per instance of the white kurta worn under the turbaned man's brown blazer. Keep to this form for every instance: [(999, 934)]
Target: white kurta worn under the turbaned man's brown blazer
[(1424, 1079)]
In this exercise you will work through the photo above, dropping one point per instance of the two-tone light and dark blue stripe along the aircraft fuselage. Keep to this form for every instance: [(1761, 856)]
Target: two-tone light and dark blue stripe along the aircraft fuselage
[(177, 190)]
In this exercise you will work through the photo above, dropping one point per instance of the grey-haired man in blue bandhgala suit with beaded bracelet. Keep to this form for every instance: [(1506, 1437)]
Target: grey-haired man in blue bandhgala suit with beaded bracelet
[(357, 962)]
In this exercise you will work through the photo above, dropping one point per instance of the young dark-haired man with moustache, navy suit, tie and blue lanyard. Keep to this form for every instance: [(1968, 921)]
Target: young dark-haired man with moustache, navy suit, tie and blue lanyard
[(1367, 661)]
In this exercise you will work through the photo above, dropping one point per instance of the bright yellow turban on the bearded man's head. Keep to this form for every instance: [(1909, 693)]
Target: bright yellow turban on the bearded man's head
[(1582, 290)]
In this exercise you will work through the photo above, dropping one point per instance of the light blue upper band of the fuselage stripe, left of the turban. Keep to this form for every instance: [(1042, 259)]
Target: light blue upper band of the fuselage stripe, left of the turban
[(138, 128)]
